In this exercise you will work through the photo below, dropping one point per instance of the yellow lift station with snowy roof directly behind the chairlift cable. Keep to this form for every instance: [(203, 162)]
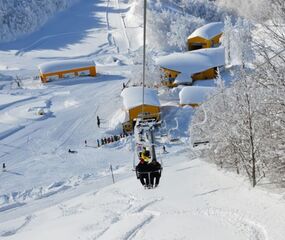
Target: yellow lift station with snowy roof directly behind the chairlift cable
[(135, 108)]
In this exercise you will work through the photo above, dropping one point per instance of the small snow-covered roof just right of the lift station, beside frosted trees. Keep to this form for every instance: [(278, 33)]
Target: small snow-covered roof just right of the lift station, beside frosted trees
[(194, 94)]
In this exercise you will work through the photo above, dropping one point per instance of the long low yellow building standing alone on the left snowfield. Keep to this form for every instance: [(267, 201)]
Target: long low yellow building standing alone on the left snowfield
[(66, 69)]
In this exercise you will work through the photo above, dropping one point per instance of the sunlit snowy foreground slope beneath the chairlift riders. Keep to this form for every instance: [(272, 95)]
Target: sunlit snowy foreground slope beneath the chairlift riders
[(194, 201)]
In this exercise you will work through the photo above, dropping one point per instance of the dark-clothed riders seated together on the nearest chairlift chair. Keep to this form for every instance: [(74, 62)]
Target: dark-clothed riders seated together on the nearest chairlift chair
[(148, 170)]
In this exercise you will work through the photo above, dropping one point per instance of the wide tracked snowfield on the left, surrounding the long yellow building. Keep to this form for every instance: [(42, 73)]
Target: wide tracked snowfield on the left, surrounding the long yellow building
[(34, 147)]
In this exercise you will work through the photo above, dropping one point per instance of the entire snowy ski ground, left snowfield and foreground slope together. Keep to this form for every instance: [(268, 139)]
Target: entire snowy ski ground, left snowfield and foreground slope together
[(48, 193)]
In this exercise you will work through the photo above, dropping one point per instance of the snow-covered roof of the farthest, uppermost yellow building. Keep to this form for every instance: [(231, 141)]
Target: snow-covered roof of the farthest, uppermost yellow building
[(208, 31)]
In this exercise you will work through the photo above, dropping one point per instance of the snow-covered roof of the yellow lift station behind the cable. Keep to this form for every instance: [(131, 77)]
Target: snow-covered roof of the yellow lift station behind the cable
[(132, 97)]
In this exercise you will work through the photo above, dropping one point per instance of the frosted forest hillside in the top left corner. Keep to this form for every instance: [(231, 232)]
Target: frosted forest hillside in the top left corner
[(19, 17)]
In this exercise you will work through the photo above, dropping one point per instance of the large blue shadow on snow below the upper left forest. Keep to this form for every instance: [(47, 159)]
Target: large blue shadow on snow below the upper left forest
[(75, 24)]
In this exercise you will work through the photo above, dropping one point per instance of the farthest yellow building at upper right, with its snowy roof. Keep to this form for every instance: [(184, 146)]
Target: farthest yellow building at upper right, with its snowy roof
[(206, 37)]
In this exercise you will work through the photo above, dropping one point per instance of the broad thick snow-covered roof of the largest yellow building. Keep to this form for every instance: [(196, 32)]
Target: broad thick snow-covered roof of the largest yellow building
[(193, 62)]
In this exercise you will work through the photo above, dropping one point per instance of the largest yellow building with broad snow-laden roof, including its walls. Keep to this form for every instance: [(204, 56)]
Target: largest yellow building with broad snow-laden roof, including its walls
[(184, 68)]
